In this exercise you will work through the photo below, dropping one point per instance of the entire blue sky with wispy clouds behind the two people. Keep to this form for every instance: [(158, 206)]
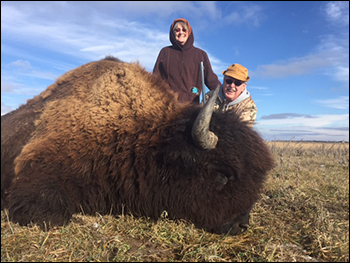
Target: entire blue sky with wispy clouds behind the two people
[(297, 52)]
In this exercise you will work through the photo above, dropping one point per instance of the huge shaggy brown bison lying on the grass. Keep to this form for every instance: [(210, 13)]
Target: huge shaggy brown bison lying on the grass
[(109, 137)]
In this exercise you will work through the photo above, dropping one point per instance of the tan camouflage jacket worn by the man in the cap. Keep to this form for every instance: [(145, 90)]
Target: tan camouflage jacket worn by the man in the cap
[(246, 109)]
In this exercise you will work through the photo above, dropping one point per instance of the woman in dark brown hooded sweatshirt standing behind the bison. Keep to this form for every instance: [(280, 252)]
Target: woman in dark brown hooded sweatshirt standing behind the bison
[(179, 64)]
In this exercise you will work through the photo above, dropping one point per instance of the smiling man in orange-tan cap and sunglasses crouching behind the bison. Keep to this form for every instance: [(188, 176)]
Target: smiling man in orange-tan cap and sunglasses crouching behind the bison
[(233, 94)]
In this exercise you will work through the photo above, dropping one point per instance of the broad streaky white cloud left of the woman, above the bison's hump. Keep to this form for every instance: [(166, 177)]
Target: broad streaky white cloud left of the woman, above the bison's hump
[(70, 39)]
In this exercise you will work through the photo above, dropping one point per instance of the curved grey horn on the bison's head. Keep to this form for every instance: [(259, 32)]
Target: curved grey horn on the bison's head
[(201, 135)]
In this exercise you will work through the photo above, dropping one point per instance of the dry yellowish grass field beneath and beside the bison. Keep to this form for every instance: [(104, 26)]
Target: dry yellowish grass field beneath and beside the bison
[(302, 216)]
